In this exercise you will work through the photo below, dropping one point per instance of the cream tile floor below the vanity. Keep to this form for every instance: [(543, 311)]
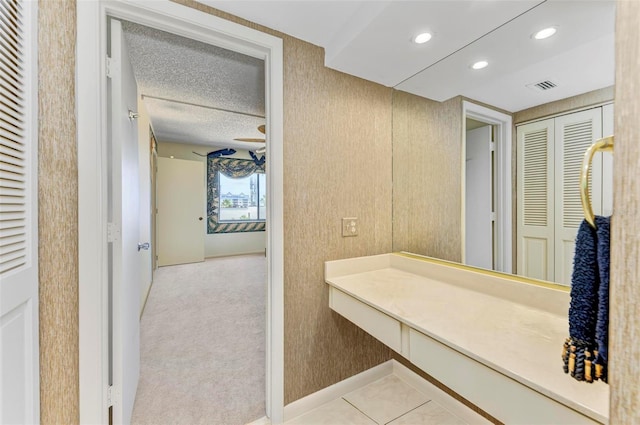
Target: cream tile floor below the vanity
[(389, 400)]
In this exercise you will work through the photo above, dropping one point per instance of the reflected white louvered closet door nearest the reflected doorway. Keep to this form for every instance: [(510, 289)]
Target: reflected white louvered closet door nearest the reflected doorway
[(535, 243)]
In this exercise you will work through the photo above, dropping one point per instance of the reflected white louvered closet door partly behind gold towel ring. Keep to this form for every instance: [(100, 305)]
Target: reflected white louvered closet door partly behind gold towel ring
[(574, 133)]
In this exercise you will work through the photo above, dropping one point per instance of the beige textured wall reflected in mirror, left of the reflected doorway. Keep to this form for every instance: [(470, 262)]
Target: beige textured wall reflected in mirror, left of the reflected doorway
[(427, 176)]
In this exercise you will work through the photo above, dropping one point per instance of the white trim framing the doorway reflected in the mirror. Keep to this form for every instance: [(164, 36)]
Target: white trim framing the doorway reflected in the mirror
[(504, 212)]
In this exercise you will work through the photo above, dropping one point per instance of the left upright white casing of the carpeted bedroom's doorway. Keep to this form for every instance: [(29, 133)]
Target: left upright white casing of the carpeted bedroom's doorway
[(91, 217)]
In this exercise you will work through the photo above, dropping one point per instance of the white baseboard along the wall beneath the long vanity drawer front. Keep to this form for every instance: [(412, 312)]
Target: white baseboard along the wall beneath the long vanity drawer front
[(436, 394)]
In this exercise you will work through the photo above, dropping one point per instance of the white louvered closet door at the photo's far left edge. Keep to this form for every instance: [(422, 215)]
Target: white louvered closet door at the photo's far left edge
[(19, 372)]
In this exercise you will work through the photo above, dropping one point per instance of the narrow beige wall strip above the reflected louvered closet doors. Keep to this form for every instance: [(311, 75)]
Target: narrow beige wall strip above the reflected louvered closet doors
[(585, 100)]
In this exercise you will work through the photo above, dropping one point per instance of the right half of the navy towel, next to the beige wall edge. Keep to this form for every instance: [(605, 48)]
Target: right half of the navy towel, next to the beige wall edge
[(602, 324)]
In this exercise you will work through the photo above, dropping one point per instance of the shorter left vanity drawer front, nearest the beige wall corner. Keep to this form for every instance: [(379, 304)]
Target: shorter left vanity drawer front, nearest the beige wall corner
[(384, 328)]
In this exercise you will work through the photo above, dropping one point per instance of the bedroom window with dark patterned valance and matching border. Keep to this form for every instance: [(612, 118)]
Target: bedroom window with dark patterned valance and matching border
[(236, 195)]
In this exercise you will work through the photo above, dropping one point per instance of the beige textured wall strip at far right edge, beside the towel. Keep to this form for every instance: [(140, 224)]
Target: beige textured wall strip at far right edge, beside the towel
[(624, 325)]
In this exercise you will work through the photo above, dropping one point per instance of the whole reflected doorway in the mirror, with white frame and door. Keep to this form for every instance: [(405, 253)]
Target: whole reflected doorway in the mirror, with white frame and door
[(487, 195)]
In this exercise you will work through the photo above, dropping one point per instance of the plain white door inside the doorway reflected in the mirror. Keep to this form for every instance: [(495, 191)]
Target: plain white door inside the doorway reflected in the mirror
[(478, 199)]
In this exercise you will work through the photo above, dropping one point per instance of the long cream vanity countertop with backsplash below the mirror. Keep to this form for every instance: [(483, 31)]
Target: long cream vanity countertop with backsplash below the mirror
[(521, 341)]
